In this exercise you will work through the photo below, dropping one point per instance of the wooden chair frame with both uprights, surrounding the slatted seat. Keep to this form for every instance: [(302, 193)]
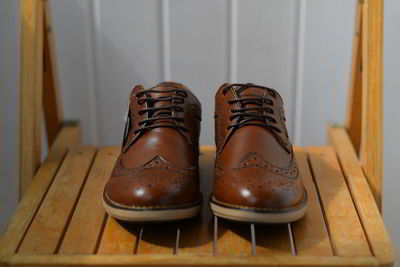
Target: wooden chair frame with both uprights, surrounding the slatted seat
[(358, 146)]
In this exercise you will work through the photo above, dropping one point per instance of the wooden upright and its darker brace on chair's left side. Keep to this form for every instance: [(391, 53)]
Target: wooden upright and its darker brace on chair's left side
[(39, 90)]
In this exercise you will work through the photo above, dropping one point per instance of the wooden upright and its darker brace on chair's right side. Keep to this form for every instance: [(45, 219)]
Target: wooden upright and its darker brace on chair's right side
[(365, 100)]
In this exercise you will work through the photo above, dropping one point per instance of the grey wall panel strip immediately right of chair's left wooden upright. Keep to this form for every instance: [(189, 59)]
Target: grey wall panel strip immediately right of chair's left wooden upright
[(71, 24)]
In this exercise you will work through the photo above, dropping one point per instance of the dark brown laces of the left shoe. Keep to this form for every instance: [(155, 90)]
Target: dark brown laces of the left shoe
[(158, 117)]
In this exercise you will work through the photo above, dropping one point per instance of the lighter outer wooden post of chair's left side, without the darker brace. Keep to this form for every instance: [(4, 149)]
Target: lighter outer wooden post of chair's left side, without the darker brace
[(31, 66)]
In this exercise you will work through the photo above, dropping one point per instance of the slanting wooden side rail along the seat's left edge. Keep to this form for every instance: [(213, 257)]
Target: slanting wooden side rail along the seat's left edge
[(34, 195)]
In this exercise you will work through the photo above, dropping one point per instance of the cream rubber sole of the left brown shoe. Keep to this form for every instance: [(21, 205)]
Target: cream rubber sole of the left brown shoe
[(151, 215)]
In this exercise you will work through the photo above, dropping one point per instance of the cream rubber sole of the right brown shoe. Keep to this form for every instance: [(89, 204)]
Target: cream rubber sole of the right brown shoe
[(258, 216)]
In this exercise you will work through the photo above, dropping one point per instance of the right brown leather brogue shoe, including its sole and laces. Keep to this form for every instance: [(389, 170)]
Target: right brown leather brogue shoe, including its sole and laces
[(256, 177)]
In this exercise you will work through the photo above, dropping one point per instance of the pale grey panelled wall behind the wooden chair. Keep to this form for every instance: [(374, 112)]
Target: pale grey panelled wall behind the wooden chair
[(300, 47)]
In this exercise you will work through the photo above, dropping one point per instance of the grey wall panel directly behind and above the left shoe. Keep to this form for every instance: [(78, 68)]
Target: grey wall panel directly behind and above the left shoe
[(128, 53)]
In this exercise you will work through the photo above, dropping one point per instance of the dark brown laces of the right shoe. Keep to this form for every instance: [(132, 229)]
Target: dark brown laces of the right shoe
[(260, 115)]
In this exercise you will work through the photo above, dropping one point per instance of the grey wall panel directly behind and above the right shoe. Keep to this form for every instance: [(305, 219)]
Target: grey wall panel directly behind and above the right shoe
[(266, 47)]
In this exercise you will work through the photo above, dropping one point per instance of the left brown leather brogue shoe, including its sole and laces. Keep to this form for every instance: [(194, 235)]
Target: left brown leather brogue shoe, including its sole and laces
[(156, 176)]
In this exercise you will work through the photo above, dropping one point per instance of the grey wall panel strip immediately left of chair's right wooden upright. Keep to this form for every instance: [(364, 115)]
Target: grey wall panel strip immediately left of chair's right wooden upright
[(327, 60)]
